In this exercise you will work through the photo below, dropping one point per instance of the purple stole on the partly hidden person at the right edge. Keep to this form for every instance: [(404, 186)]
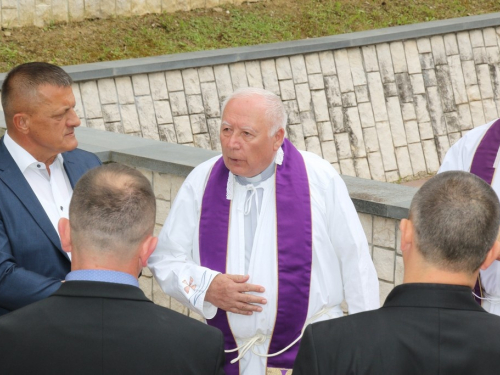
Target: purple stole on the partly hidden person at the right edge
[(483, 166)]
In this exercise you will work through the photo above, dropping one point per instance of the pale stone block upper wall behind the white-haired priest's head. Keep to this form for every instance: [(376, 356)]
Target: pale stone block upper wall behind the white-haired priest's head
[(382, 112)]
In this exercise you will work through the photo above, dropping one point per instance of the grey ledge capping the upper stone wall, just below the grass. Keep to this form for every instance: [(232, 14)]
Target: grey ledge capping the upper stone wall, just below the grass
[(230, 55)]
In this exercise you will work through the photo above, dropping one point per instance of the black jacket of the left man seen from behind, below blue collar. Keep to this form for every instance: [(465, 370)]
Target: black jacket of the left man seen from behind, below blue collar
[(96, 328)]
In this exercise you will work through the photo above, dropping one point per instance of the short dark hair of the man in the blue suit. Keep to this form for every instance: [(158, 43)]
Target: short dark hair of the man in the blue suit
[(21, 84)]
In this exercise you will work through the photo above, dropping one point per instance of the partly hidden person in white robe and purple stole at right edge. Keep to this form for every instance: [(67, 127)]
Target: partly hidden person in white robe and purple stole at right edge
[(478, 152)]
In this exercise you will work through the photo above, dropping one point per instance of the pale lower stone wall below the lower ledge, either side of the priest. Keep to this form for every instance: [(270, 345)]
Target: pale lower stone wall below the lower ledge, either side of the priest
[(382, 235)]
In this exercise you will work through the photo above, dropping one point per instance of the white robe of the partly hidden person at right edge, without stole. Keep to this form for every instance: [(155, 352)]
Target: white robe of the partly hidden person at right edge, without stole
[(459, 158)]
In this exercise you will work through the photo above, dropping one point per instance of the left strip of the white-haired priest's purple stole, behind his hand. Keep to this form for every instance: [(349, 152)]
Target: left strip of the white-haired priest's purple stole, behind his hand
[(214, 229)]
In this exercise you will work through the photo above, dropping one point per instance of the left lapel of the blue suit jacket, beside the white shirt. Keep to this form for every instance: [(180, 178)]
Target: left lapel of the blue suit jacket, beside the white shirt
[(16, 182)]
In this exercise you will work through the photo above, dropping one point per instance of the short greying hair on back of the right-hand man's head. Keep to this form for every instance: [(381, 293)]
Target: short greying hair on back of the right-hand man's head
[(456, 216)]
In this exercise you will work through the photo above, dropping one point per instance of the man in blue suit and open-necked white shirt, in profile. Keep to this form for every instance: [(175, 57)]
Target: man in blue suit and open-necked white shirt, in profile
[(39, 165)]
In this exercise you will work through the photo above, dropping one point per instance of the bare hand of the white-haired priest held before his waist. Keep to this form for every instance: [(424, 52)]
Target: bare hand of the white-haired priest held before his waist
[(228, 292)]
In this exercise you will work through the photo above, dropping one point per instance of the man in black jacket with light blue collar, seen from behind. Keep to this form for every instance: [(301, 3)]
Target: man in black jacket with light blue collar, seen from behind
[(99, 321)]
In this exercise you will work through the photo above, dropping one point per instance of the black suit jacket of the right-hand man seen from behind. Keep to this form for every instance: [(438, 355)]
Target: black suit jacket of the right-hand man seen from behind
[(422, 329)]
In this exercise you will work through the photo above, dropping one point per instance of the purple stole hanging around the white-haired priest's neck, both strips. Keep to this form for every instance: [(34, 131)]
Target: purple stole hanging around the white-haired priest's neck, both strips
[(294, 232)]
